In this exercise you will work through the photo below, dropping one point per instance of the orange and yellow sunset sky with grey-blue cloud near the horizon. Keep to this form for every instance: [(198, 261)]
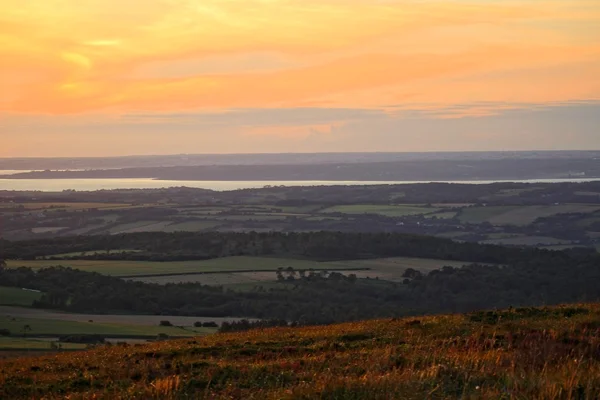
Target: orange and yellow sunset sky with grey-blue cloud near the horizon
[(126, 77)]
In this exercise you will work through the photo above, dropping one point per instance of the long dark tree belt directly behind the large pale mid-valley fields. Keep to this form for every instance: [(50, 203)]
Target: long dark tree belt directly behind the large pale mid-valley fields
[(181, 246)]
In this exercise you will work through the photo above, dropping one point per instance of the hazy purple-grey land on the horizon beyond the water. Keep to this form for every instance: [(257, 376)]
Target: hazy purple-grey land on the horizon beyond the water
[(318, 166)]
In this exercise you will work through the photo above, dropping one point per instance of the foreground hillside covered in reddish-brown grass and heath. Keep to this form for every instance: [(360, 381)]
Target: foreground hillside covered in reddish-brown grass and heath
[(528, 353)]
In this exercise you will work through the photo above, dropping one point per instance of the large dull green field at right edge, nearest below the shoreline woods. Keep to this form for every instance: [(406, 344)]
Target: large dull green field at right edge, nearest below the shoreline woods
[(520, 215)]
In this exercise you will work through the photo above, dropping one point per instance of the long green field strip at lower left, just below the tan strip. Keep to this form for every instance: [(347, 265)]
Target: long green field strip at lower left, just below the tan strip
[(46, 327)]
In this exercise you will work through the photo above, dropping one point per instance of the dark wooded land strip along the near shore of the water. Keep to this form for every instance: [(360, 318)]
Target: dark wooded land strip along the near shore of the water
[(416, 193)]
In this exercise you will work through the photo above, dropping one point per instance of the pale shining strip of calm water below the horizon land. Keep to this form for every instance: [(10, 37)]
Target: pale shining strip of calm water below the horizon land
[(57, 185)]
